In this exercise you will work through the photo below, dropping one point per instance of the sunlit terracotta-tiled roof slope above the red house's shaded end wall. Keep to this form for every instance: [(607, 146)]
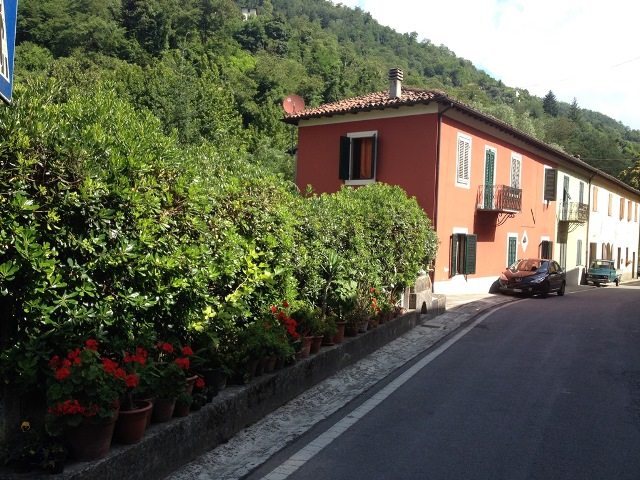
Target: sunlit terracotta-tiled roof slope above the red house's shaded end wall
[(371, 101)]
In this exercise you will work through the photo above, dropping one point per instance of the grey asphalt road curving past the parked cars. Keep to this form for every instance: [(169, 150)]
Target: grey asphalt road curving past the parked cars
[(539, 389)]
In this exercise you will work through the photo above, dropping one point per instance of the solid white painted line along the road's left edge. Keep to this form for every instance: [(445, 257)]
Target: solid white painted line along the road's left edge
[(305, 454)]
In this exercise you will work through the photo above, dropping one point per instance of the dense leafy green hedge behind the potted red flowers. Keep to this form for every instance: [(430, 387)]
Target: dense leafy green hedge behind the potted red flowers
[(109, 228)]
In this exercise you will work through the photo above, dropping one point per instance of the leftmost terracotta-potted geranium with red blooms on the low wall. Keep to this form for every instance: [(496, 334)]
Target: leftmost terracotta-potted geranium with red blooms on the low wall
[(83, 396)]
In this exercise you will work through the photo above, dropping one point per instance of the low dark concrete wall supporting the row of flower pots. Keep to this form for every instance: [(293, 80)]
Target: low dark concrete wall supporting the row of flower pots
[(166, 447)]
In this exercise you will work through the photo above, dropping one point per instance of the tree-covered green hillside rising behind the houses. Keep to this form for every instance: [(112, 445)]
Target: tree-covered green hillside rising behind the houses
[(212, 76)]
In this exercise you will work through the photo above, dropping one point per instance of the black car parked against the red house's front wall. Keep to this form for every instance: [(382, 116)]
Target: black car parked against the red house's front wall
[(533, 276)]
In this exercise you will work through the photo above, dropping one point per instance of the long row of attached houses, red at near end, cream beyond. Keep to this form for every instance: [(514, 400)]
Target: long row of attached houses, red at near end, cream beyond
[(493, 193)]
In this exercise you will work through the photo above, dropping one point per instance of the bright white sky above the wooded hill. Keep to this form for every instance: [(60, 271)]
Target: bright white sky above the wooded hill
[(579, 49)]
